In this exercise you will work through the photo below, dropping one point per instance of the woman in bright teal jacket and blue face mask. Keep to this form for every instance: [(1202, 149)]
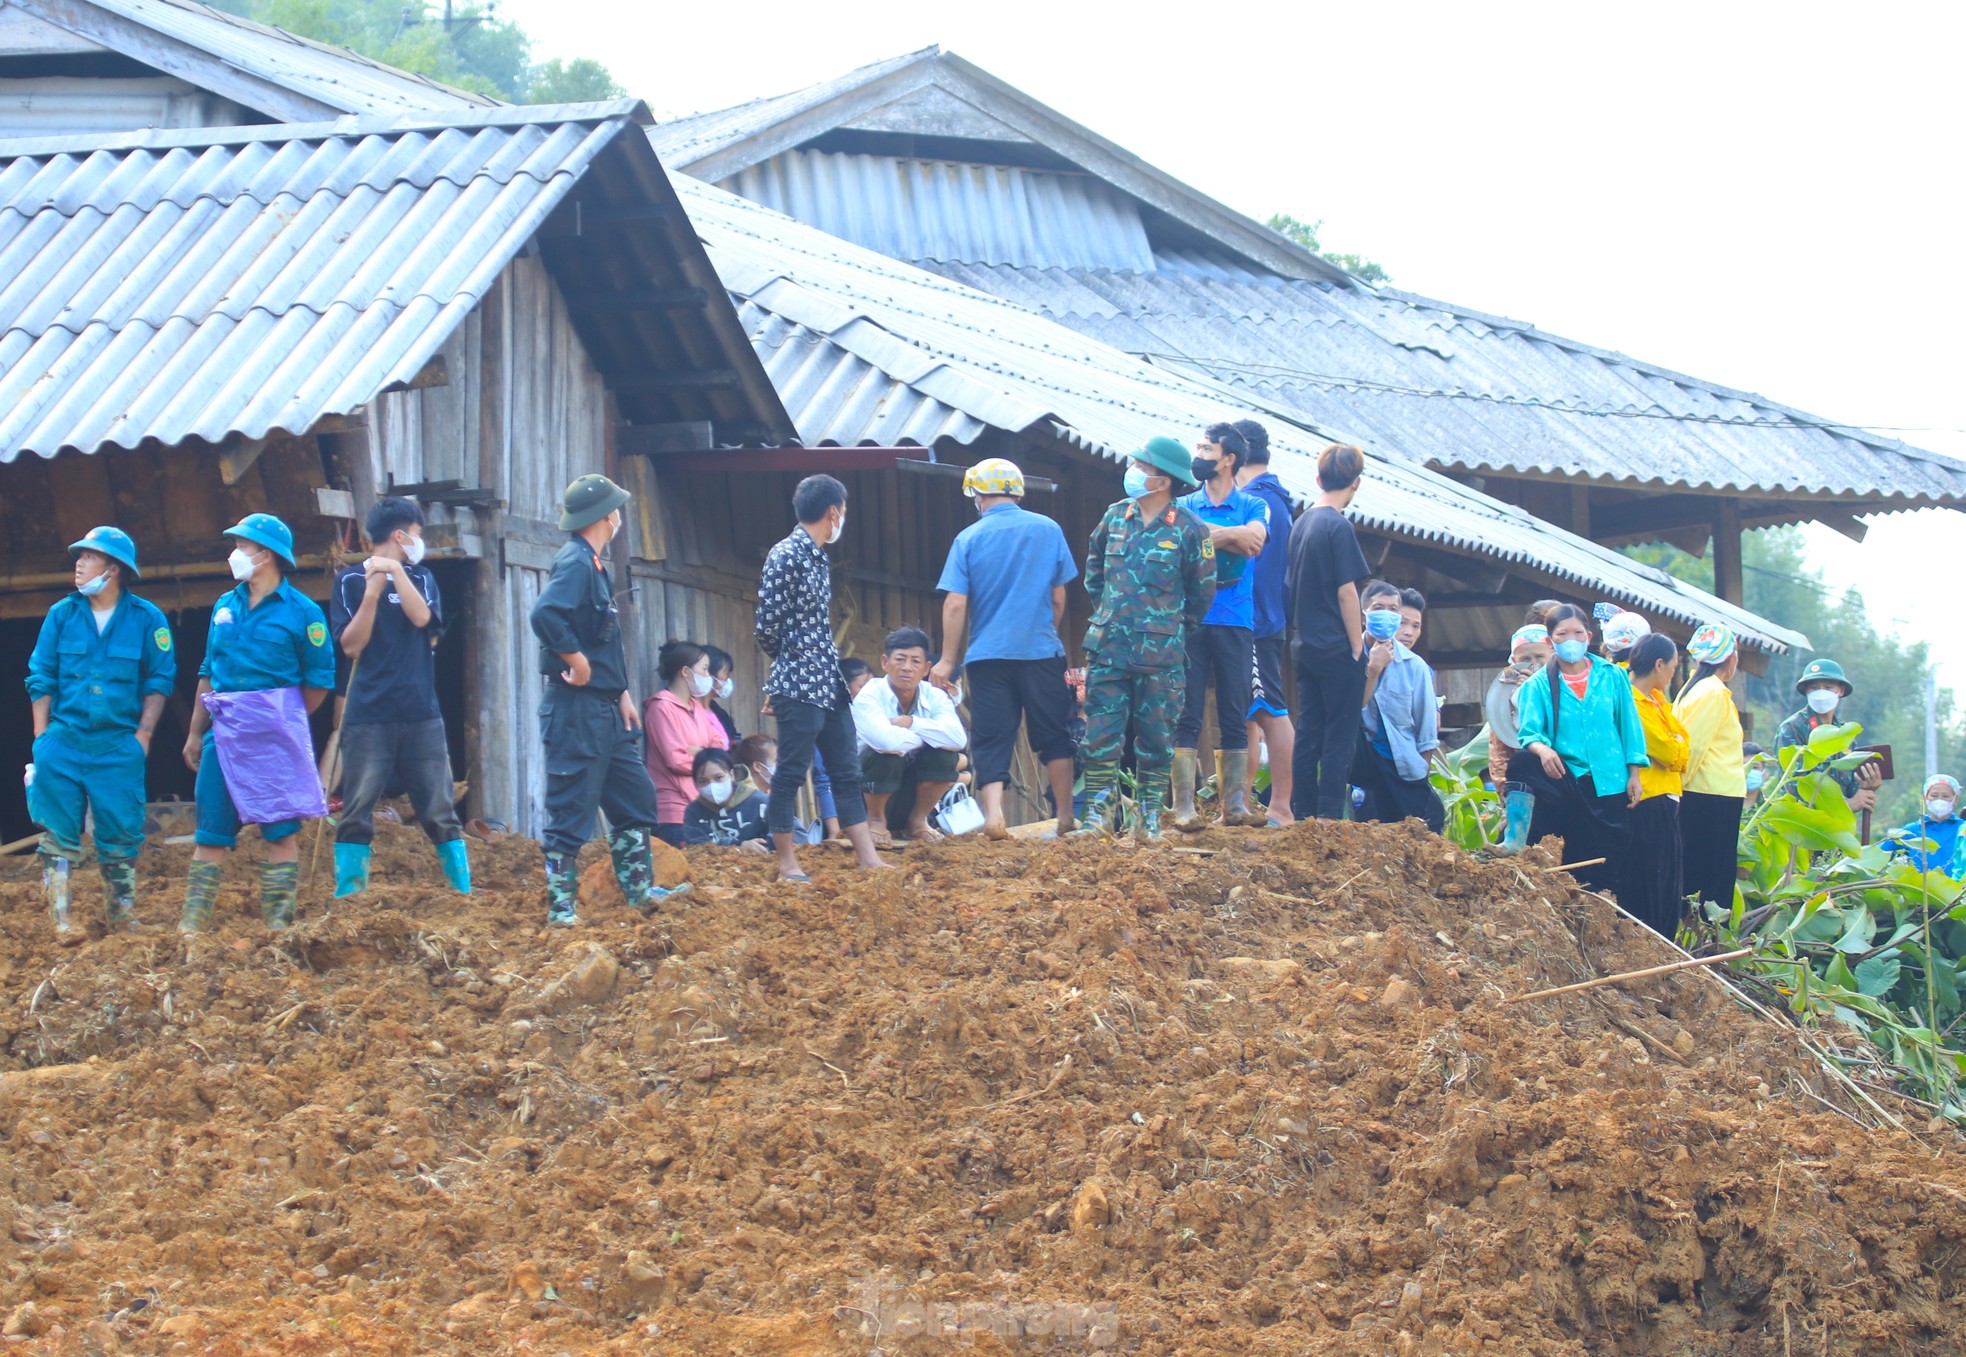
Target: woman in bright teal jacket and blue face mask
[(1582, 752)]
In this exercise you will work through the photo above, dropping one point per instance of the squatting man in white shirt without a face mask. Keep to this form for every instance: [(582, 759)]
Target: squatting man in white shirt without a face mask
[(909, 737)]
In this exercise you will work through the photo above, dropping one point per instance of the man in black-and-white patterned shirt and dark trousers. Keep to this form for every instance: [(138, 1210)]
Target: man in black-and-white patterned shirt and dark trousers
[(795, 607)]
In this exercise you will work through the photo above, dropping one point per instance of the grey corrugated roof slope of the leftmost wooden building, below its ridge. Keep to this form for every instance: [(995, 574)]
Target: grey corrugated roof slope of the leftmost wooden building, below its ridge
[(196, 284)]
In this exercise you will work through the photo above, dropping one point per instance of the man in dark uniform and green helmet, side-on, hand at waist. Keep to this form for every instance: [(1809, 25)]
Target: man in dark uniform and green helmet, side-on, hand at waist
[(589, 719)]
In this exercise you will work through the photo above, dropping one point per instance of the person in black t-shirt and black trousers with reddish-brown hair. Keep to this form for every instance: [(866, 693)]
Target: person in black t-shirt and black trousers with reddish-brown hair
[(1326, 569)]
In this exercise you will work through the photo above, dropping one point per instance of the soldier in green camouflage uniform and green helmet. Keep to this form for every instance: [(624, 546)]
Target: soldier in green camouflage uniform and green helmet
[(1151, 573)]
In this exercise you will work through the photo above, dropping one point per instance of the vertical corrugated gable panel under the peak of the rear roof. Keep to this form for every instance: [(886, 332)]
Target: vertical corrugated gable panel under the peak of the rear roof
[(923, 209)]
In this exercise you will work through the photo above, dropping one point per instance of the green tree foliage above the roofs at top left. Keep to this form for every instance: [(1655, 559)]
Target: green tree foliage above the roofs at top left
[(461, 44)]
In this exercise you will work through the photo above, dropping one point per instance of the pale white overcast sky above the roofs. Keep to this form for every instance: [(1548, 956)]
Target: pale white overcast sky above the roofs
[(1764, 196)]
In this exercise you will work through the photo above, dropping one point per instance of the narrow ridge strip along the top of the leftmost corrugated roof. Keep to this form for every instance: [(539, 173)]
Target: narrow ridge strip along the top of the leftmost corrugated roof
[(341, 129)]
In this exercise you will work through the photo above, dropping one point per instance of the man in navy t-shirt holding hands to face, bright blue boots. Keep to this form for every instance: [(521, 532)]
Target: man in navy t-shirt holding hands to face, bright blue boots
[(388, 615)]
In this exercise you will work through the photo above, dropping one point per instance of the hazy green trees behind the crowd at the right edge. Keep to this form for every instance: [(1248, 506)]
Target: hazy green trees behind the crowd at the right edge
[(1886, 672)]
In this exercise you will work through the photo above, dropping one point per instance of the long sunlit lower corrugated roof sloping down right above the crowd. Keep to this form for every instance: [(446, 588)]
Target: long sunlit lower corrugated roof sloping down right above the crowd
[(868, 325)]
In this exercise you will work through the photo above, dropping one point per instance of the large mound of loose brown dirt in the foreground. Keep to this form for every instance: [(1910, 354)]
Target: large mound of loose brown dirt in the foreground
[(1023, 1096)]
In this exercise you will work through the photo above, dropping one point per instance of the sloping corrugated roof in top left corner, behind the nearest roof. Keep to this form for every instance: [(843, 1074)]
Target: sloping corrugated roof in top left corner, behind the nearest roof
[(333, 78)]
